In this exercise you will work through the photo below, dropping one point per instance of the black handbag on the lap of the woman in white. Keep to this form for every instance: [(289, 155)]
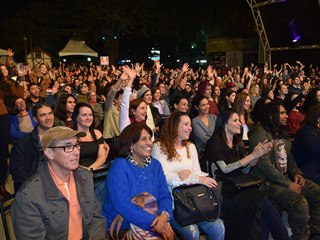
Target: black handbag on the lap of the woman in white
[(196, 203)]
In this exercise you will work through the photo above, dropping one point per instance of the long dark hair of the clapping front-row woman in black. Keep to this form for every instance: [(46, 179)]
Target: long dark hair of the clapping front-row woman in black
[(220, 130)]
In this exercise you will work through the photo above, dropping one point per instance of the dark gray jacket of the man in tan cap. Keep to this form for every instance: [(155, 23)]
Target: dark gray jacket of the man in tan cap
[(40, 211)]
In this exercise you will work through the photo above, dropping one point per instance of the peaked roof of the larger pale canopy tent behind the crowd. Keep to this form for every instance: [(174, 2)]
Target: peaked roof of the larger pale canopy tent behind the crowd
[(75, 47)]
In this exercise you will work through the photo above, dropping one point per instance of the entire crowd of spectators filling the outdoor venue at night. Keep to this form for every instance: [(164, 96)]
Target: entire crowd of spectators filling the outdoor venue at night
[(159, 128)]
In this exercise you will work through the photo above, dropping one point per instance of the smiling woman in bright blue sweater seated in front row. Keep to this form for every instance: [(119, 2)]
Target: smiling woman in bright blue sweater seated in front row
[(132, 173)]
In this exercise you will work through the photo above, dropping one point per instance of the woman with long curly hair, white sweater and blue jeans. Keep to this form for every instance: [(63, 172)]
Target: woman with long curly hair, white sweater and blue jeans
[(179, 160)]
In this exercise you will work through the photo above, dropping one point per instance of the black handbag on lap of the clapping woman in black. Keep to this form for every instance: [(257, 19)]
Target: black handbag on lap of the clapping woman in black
[(235, 184)]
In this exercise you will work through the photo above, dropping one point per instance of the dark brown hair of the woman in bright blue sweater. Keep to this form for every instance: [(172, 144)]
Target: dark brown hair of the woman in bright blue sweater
[(129, 136)]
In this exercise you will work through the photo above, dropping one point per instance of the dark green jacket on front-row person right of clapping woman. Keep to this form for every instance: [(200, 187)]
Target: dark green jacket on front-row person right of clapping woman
[(266, 166)]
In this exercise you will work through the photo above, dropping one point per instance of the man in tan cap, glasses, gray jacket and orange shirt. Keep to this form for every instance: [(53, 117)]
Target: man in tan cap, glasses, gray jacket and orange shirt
[(58, 201)]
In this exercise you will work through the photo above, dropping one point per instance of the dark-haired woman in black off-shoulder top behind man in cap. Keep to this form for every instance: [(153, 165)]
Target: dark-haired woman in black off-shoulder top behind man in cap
[(93, 152)]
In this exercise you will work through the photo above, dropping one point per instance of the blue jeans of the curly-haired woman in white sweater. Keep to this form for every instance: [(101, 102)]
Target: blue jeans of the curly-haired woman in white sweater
[(213, 230)]
